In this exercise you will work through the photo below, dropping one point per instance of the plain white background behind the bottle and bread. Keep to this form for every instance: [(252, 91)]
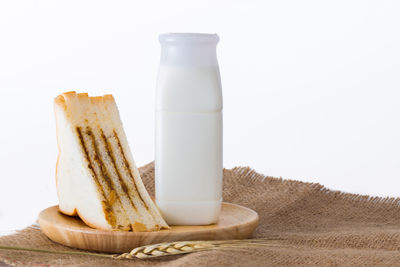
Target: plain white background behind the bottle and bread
[(311, 88)]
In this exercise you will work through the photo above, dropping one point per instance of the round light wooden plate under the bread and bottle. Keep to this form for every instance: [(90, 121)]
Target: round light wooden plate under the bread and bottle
[(235, 222)]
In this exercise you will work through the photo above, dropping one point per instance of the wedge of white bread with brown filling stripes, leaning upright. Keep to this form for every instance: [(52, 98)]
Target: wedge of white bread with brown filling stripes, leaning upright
[(96, 175)]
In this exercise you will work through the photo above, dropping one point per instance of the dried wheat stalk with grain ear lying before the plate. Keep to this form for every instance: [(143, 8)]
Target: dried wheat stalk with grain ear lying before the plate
[(165, 249)]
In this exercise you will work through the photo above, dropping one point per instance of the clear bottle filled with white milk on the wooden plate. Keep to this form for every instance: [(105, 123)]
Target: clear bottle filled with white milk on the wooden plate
[(188, 145)]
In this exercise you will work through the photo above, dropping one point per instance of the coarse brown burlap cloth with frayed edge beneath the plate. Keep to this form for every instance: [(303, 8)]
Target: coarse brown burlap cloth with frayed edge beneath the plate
[(314, 226)]
